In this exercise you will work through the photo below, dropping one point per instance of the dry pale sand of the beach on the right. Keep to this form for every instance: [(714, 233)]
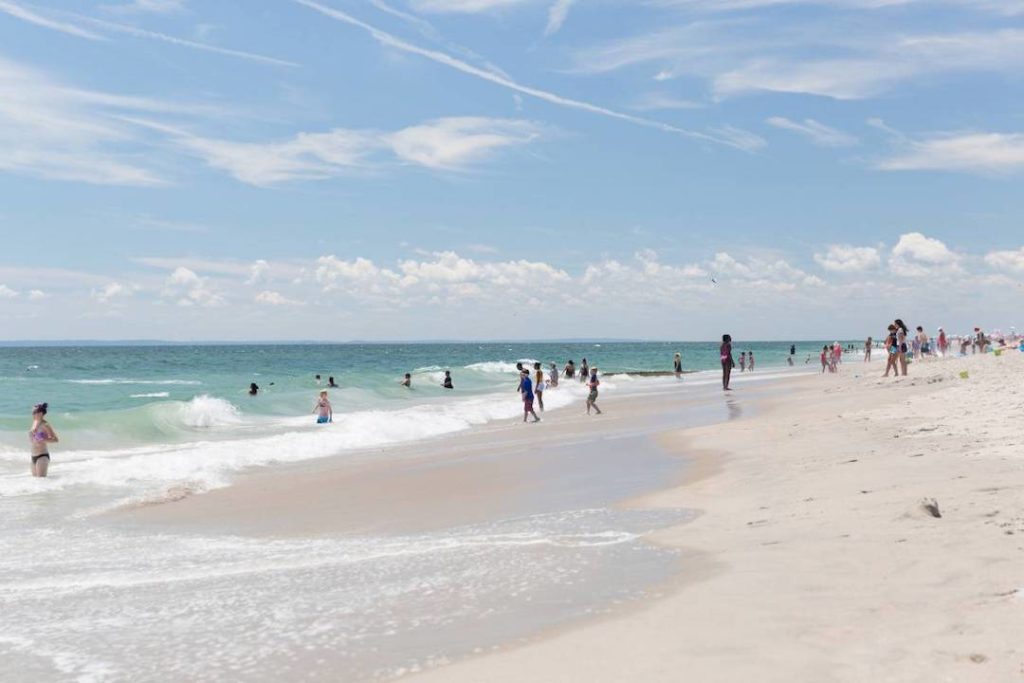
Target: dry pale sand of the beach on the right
[(815, 561)]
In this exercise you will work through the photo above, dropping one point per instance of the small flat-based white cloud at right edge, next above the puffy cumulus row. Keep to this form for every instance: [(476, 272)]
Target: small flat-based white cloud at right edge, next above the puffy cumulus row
[(973, 153)]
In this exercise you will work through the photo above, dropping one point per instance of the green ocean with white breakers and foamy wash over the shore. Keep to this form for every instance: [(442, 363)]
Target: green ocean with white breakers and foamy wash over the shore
[(84, 601)]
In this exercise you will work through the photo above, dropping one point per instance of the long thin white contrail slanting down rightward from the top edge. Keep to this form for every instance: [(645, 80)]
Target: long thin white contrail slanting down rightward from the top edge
[(392, 41)]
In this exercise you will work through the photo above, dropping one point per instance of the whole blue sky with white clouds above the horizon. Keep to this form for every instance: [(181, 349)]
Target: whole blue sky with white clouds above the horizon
[(509, 169)]
